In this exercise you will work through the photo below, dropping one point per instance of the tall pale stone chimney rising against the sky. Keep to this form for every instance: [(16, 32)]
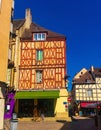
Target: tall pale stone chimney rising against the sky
[(28, 18)]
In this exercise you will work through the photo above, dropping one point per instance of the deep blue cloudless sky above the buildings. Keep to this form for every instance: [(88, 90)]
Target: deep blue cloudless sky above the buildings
[(78, 20)]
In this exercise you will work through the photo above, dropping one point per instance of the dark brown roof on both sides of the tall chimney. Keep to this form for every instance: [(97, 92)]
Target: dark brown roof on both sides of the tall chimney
[(34, 28)]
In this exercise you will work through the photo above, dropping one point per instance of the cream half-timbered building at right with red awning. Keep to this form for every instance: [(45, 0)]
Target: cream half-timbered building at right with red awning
[(87, 90)]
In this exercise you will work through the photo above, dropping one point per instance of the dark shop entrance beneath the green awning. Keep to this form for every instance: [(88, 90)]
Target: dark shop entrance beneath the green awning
[(36, 107)]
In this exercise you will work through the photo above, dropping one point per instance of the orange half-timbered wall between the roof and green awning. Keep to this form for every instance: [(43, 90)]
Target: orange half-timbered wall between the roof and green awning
[(52, 65)]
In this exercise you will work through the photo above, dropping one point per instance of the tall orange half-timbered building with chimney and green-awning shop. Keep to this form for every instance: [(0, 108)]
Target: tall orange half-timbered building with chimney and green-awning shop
[(40, 61)]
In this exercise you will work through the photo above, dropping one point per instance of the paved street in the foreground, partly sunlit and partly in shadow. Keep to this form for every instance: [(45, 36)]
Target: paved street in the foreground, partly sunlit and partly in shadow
[(76, 124)]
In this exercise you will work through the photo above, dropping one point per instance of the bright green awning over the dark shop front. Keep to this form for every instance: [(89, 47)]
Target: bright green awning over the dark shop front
[(36, 94)]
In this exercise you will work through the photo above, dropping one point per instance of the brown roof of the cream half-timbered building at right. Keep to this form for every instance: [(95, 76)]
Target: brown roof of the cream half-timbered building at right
[(88, 76)]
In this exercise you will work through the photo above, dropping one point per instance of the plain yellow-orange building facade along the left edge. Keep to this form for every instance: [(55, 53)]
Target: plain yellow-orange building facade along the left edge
[(6, 9)]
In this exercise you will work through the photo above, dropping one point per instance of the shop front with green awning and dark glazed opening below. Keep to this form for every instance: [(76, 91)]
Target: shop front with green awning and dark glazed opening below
[(36, 103)]
